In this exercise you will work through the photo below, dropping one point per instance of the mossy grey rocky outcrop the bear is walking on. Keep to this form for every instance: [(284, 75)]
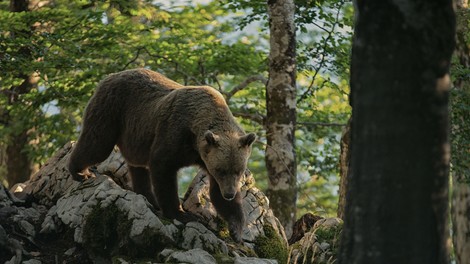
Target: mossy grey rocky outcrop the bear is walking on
[(59, 220)]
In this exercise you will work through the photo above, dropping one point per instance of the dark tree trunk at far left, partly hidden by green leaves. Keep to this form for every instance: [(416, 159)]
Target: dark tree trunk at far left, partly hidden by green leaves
[(17, 161)]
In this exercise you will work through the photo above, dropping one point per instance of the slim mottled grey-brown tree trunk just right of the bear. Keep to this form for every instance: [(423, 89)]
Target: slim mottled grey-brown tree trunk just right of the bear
[(281, 113)]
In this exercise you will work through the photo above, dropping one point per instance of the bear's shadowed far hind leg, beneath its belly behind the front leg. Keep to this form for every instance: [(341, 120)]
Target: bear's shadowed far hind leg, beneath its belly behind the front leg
[(142, 184)]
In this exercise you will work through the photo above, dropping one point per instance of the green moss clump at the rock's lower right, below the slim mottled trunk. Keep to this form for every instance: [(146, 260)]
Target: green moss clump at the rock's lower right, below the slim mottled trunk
[(271, 245)]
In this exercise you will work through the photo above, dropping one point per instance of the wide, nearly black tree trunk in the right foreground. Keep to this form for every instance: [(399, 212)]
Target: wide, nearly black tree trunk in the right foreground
[(397, 197)]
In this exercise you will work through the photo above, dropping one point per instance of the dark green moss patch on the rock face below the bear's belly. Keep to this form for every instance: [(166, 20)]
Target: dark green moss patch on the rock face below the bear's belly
[(106, 234)]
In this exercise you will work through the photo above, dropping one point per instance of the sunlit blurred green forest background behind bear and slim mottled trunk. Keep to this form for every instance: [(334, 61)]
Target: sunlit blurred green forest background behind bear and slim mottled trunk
[(53, 56)]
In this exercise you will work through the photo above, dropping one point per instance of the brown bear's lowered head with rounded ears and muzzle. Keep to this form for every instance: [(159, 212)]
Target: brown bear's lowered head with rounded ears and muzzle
[(226, 156)]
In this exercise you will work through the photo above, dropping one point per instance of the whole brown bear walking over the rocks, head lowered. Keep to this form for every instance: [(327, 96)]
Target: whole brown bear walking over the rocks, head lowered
[(161, 126)]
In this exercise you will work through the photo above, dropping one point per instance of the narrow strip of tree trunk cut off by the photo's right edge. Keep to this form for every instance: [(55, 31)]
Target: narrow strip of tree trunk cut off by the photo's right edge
[(461, 142)]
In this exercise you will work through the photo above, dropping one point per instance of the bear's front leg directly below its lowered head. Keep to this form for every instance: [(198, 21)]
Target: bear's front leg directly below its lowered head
[(231, 211)]
